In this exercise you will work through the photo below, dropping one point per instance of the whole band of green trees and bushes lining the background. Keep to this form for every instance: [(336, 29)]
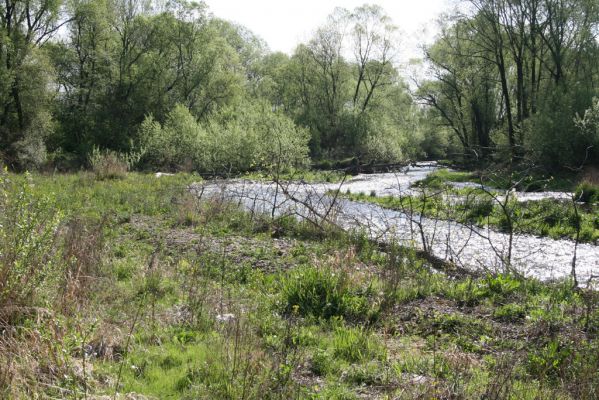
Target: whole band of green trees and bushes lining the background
[(170, 86)]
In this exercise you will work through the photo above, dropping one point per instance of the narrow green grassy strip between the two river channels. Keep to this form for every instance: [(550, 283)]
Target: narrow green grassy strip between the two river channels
[(575, 218)]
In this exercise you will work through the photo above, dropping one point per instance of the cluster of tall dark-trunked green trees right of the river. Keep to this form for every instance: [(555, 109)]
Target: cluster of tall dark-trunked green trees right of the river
[(490, 95)]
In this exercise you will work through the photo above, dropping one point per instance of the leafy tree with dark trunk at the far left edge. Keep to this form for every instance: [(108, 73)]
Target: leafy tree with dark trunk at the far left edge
[(25, 26)]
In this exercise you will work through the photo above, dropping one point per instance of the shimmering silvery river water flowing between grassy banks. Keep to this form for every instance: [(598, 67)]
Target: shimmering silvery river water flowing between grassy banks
[(468, 246)]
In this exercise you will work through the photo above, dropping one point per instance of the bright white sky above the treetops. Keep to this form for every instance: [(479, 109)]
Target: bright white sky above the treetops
[(283, 24)]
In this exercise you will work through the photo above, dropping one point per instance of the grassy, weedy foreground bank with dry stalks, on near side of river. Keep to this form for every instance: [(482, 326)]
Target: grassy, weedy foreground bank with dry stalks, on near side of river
[(133, 287)]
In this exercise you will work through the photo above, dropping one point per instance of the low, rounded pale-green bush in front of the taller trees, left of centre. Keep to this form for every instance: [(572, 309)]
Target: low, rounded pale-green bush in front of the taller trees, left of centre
[(255, 137)]
